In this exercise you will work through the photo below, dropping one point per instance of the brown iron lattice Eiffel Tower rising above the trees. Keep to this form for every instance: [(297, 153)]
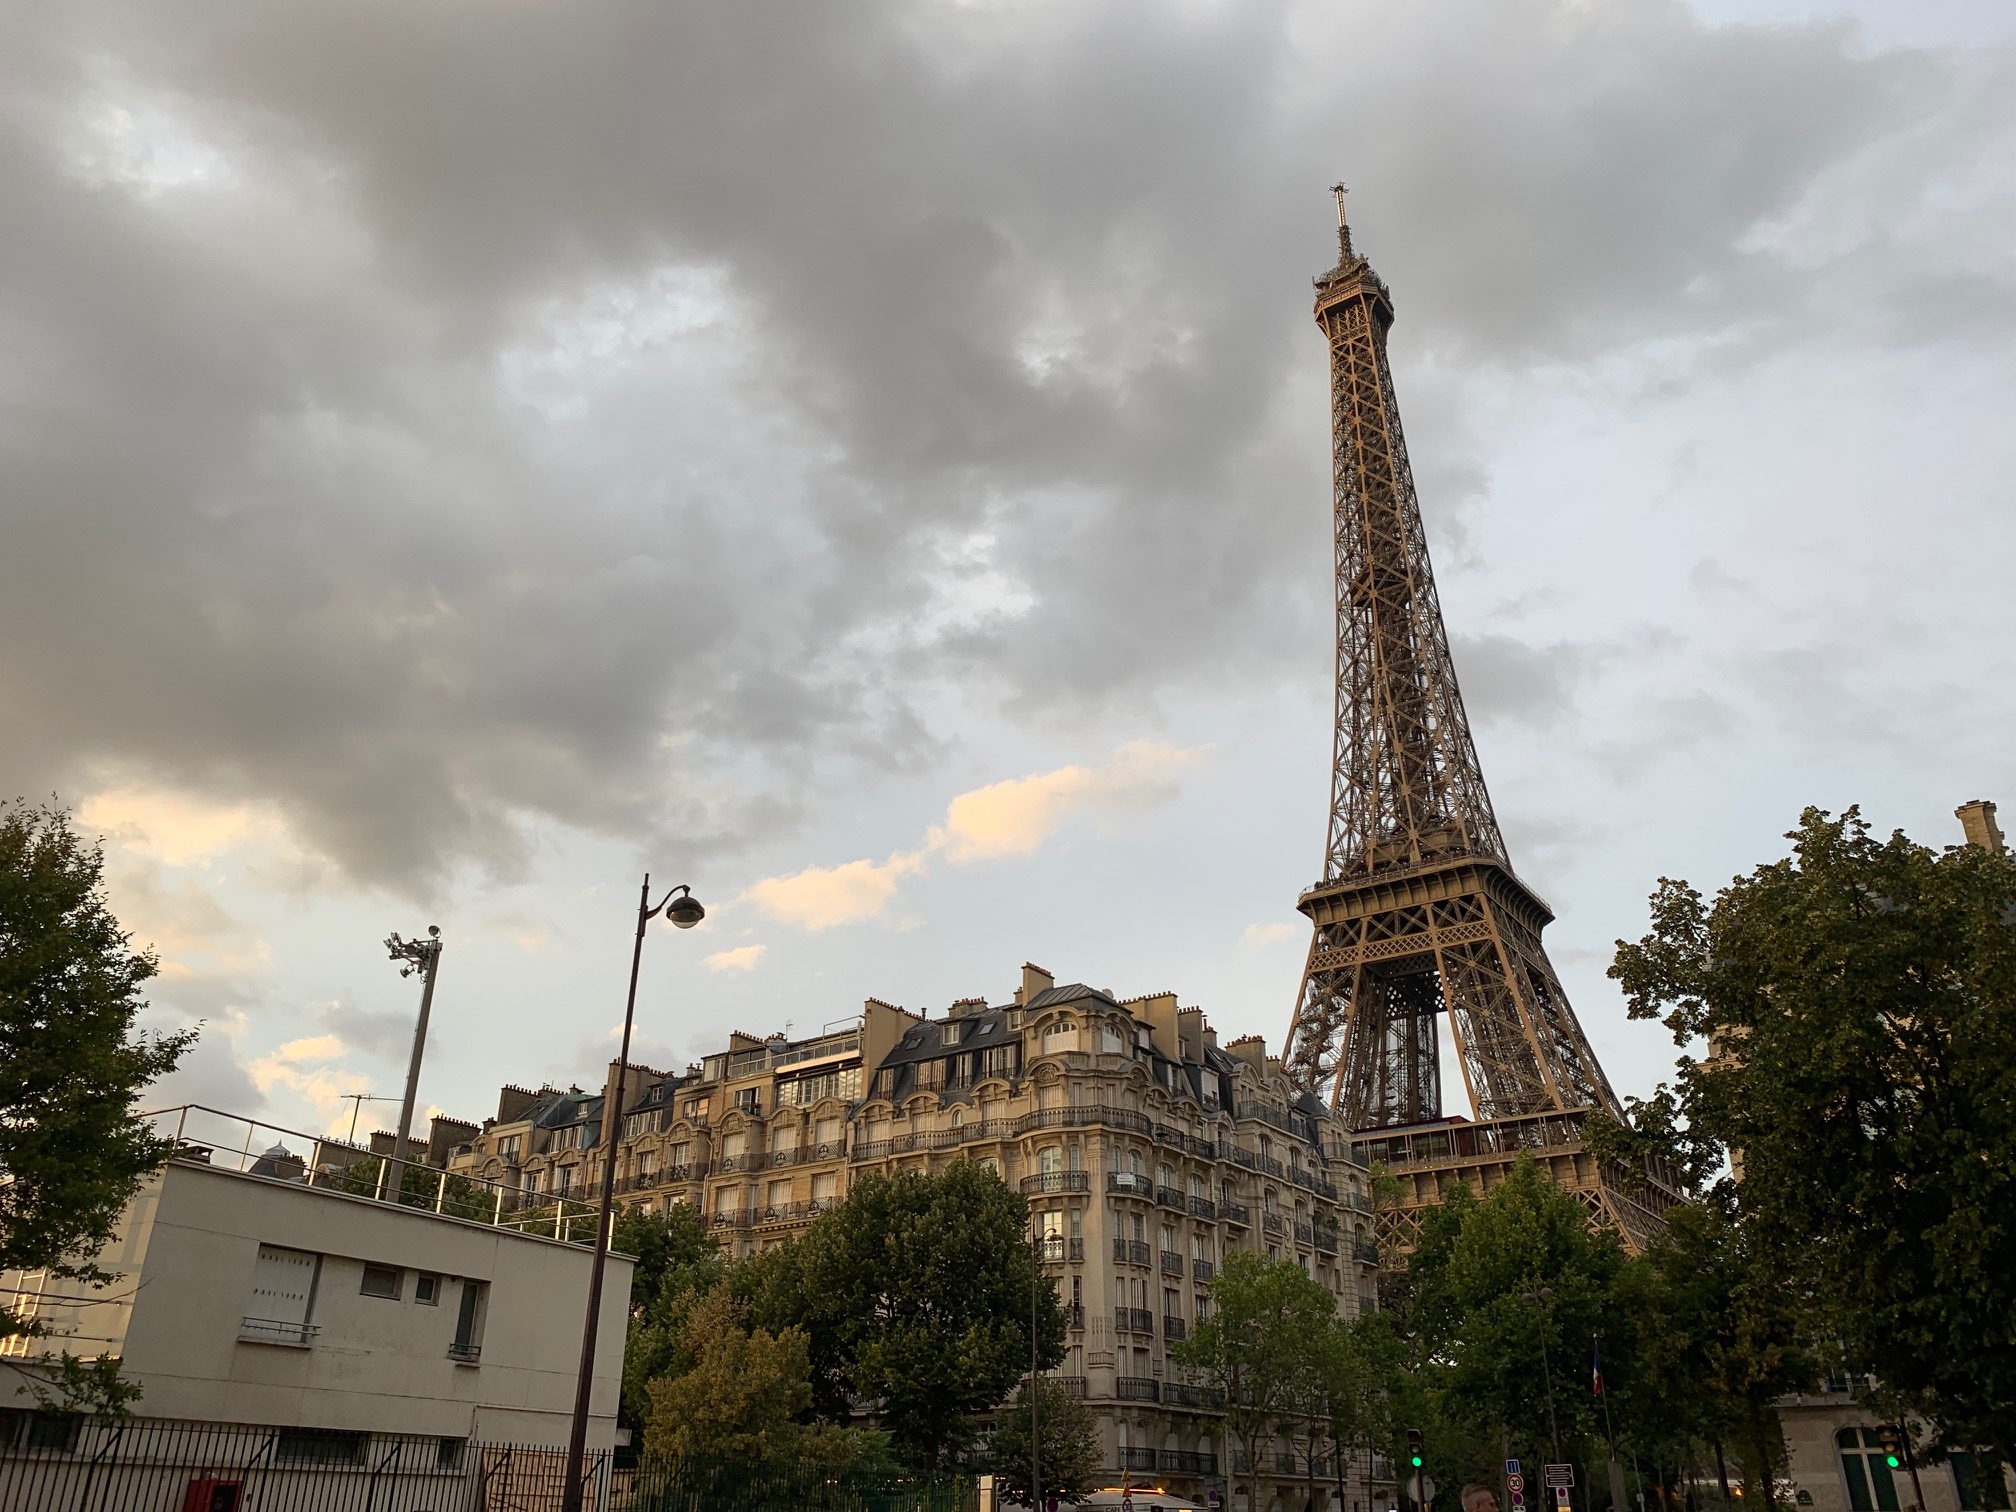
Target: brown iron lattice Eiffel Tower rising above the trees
[(1420, 912)]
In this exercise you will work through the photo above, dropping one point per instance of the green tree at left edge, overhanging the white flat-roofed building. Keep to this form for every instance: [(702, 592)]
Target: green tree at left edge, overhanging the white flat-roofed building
[(72, 1061)]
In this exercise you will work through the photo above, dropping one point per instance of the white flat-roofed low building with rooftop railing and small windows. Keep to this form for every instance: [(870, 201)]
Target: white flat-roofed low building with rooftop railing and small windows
[(253, 1291)]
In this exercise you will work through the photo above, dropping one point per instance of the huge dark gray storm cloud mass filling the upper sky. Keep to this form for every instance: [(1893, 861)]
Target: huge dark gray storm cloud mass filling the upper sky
[(443, 420)]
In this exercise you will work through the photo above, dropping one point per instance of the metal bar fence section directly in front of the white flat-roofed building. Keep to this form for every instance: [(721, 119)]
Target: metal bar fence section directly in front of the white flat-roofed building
[(68, 1463)]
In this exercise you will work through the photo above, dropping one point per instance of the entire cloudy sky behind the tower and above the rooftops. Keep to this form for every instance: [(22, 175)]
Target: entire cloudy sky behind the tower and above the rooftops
[(870, 463)]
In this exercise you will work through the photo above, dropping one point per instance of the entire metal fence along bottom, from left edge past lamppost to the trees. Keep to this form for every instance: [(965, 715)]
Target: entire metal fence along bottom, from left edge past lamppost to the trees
[(70, 1463)]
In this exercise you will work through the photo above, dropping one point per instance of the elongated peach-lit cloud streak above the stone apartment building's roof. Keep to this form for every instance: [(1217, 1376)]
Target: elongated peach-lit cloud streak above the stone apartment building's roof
[(1013, 817)]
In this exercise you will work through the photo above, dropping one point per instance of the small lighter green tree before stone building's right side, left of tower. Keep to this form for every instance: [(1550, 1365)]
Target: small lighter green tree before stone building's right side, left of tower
[(1265, 1348)]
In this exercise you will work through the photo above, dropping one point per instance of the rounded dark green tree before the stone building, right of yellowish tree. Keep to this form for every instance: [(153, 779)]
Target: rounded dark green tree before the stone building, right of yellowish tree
[(916, 1291)]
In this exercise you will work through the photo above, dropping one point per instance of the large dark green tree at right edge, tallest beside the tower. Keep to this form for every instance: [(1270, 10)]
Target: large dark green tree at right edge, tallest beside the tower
[(1860, 1011)]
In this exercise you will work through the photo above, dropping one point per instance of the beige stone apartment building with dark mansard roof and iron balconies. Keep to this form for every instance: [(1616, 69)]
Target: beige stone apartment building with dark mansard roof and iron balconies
[(1144, 1148)]
